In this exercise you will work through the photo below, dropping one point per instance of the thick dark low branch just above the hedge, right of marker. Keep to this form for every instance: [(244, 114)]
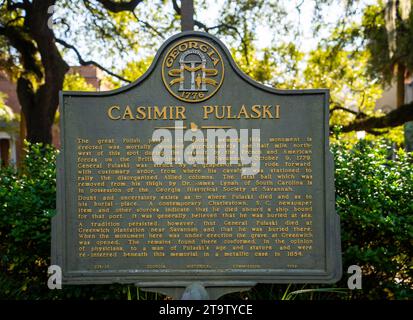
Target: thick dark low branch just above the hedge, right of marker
[(394, 118)]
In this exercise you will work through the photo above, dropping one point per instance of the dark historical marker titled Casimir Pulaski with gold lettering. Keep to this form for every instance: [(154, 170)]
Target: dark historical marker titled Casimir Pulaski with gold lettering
[(195, 173)]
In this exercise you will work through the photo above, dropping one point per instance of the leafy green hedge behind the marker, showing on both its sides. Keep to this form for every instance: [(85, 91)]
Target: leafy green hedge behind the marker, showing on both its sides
[(374, 192)]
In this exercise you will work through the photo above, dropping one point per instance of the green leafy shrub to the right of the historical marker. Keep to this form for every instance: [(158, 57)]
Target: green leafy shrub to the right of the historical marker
[(374, 192)]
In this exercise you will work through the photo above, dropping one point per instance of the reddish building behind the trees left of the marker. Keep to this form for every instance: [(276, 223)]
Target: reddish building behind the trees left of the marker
[(12, 130)]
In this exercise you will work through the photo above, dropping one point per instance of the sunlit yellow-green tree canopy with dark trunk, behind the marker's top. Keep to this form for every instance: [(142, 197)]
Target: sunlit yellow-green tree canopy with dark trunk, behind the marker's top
[(355, 53)]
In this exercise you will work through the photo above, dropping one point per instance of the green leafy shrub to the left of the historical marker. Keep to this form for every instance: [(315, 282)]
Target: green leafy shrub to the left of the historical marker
[(27, 203)]
